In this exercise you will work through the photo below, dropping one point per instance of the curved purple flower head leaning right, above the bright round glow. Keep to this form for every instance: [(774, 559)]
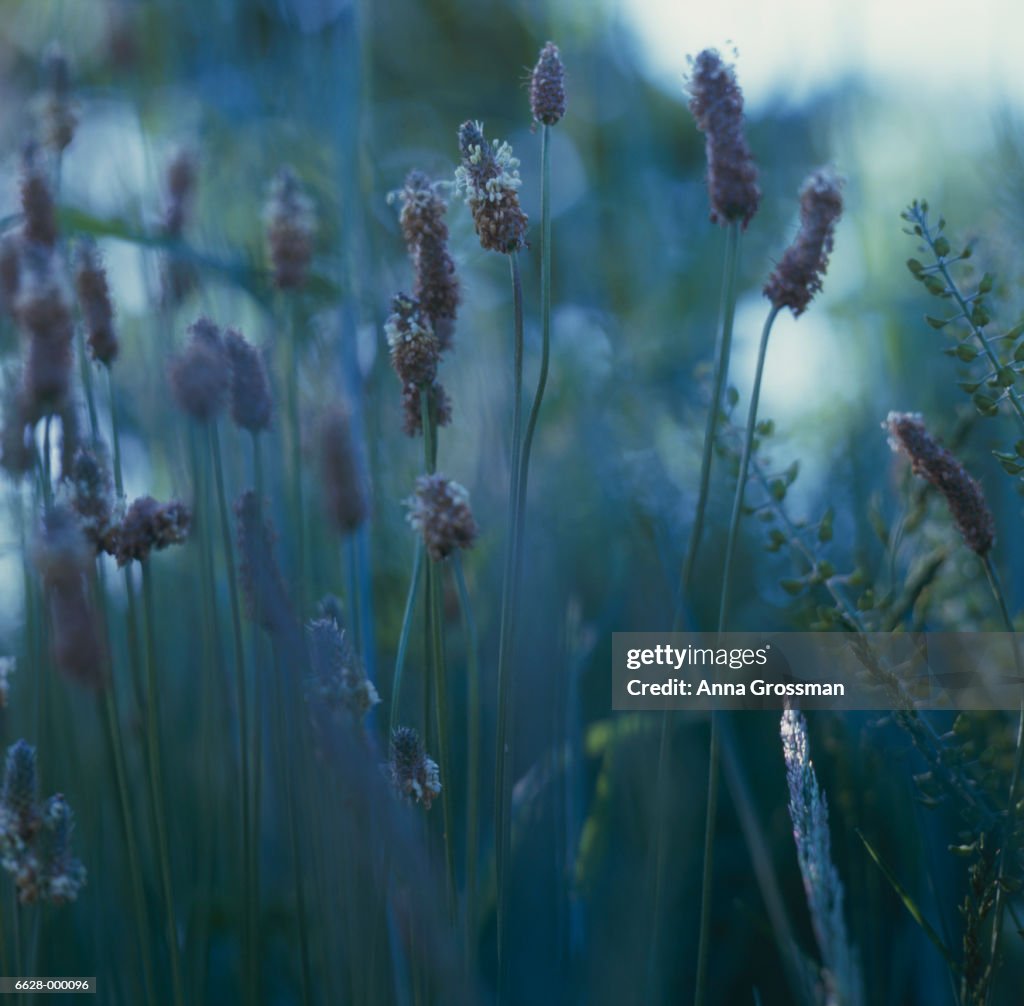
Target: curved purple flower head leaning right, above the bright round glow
[(798, 277)]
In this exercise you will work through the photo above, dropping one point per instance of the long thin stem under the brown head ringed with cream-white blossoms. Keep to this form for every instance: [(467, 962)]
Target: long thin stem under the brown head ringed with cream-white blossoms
[(504, 745)]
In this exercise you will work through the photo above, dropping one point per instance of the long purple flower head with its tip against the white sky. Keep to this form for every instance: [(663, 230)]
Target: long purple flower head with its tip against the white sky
[(717, 104)]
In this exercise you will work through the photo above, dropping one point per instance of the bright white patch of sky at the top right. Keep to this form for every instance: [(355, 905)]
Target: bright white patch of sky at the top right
[(789, 49)]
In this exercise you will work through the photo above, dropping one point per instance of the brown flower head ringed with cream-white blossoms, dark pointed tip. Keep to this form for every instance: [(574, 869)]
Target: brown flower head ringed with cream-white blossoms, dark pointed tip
[(489, 180)]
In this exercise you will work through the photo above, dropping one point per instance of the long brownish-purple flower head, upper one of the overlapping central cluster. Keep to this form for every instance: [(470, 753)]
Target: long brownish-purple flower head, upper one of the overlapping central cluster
[(426, 236)]
